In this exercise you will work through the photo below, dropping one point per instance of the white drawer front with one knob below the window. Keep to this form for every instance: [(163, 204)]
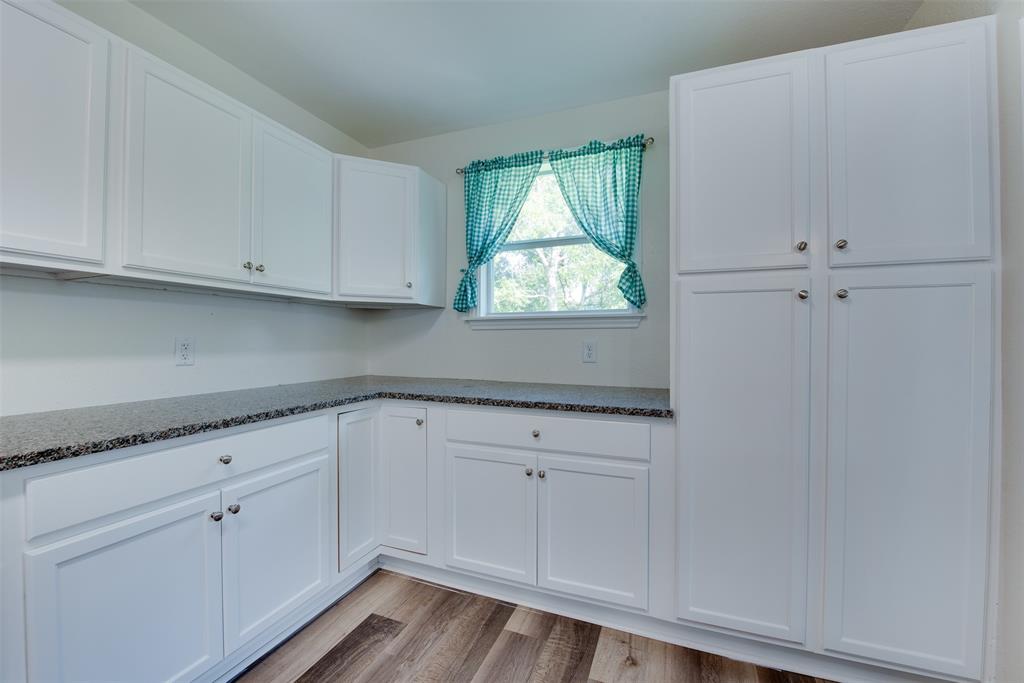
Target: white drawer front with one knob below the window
[(593, 438)]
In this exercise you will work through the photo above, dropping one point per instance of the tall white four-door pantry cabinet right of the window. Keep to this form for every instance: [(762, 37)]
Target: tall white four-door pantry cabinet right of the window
[(836, 265)]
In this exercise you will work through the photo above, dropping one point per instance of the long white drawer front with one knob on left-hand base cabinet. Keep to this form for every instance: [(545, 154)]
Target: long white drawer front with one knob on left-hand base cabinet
[(59, 501)]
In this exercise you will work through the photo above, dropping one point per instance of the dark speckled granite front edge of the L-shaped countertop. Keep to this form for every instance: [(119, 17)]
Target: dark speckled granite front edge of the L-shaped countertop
[(17, 461)]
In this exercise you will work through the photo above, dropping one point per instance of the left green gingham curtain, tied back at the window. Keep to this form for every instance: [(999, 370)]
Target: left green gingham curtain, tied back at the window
[(496, 190)]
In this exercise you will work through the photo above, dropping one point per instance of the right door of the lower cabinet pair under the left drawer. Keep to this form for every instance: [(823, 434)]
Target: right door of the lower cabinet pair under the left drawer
[(276, 547)]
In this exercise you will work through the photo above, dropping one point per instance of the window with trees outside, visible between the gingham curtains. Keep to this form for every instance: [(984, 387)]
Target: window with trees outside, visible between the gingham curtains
[(549, 269)]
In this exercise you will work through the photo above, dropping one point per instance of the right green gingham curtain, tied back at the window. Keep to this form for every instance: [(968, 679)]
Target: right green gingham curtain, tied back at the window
[(602, 186)]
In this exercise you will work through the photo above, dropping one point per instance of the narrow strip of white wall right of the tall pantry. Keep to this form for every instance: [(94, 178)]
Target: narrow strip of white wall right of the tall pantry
[(1010, 668)]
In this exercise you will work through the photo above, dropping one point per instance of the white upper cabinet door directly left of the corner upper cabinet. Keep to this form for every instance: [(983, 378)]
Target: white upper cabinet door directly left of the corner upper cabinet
[(291, 210)]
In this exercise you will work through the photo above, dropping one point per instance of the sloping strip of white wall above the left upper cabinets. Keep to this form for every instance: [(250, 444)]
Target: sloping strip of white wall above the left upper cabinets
[(142, 29)]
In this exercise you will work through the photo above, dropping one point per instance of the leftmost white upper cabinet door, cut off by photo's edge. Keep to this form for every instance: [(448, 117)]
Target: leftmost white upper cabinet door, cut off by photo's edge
[(54, 103)]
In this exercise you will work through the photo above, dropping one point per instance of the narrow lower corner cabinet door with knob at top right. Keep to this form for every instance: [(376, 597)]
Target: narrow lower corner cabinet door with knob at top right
[(404, 459)]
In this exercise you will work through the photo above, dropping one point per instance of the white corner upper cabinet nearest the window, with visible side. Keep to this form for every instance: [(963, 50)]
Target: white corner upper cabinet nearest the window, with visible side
[(391, 233)]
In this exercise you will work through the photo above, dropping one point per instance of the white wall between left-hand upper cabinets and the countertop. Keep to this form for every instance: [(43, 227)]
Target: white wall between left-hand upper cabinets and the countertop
[(72, 345)]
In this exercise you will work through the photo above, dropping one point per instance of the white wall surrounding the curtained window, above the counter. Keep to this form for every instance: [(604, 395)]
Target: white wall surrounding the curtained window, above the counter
[(440, 344)]
